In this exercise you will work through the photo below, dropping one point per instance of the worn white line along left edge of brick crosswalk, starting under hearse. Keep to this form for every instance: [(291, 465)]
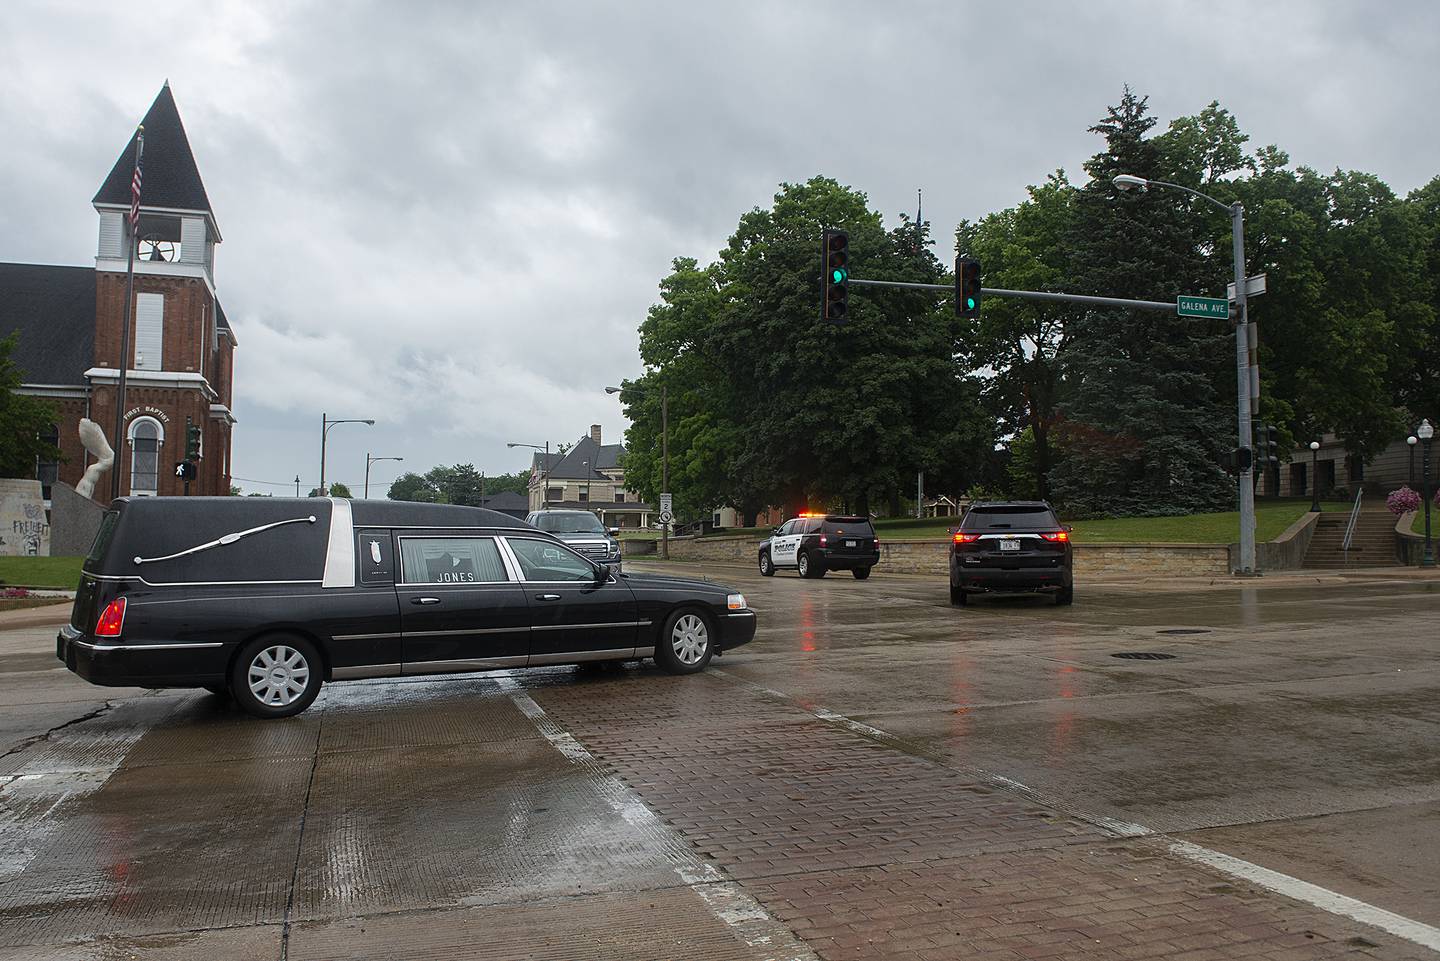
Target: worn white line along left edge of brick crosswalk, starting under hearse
[(725, 898)]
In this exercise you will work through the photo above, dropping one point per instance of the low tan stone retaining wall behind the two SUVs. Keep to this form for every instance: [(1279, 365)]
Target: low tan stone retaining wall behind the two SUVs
[(932, 557)]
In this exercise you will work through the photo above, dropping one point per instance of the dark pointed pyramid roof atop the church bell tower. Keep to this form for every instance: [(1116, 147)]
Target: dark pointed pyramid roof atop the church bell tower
[(171, 178)]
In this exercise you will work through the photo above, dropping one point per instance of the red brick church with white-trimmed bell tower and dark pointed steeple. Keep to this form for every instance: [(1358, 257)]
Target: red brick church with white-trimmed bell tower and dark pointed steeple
[(182, 351)]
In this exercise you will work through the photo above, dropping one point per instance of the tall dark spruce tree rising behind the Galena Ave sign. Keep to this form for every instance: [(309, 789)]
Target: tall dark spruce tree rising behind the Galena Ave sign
[(1146, 423)]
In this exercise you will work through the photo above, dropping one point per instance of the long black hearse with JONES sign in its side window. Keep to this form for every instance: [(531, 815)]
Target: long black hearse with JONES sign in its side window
[(266, 599)]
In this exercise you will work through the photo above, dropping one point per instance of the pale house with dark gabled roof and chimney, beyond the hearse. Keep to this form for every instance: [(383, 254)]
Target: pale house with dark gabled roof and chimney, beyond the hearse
[(588, 476)]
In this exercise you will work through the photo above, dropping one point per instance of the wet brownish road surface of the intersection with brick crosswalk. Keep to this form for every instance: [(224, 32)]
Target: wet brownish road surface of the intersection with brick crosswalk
[(878, 776)]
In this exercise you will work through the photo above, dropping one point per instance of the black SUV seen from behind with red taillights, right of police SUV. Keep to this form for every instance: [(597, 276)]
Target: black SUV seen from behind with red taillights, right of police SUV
[(1010, 548)]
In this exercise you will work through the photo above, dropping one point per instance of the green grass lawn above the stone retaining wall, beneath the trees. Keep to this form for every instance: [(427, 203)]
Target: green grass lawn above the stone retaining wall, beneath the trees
[(1272, 518)]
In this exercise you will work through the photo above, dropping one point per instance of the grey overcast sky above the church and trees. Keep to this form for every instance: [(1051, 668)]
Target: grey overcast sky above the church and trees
[(453, 217)]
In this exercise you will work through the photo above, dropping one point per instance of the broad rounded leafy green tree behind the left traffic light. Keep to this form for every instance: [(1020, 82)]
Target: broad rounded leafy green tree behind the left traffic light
[(768, 404)]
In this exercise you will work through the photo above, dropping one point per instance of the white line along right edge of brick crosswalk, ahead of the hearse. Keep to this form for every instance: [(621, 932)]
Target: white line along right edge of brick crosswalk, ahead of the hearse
[(1294, 888)]
